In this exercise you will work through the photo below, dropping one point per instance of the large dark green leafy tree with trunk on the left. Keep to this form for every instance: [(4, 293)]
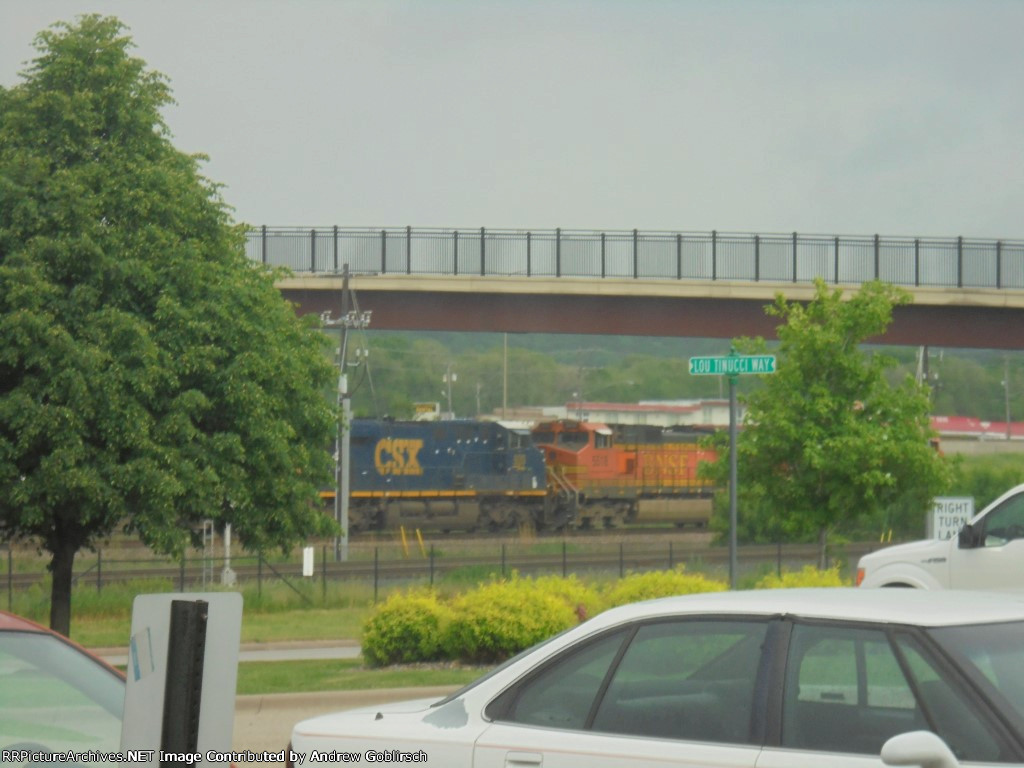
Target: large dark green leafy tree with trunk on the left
[(150, 376)]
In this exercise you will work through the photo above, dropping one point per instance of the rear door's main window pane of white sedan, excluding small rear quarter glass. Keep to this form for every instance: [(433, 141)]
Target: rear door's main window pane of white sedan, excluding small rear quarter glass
[(690, 680)]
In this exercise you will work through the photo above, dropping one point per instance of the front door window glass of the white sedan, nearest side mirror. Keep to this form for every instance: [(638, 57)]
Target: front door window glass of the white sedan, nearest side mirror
[(845, 692)]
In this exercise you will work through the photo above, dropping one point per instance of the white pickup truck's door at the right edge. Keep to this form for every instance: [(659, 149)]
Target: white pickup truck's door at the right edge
[(999, 563)]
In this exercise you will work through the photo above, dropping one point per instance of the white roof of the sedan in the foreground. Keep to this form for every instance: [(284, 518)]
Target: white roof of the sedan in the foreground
[(905, 607)]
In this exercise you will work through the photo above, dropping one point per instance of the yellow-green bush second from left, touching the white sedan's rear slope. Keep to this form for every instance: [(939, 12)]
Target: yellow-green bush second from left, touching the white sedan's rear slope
[(500, 619)]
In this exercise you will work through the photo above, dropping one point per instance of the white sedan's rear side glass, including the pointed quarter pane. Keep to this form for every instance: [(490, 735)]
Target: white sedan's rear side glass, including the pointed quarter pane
[(690, 680)]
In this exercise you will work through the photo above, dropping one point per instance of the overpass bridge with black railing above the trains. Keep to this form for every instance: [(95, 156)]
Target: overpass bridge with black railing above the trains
[(968, 292)]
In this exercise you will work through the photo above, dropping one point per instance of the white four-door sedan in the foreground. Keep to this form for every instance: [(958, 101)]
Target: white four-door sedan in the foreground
[(794, 678)]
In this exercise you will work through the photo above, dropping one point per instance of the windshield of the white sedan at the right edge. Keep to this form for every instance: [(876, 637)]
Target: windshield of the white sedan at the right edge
[(994, 655)]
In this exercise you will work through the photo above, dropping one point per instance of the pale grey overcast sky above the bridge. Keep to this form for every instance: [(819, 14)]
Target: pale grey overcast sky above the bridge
[(891, 117)]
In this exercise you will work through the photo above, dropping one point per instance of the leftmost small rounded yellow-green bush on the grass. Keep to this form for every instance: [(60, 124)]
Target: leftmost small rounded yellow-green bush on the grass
[(407, 628)]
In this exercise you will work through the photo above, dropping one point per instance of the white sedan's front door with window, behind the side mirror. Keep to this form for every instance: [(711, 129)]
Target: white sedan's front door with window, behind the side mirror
[(847, 691)]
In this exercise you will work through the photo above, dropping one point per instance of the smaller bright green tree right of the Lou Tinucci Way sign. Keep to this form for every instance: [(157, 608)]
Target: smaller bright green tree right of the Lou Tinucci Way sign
[(828, 443)]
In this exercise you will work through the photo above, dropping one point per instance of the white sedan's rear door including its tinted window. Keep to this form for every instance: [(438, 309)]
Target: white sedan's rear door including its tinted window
[(663, 694)]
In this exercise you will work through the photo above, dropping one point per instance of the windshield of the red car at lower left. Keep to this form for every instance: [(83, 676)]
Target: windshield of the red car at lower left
[(56, 699)]
